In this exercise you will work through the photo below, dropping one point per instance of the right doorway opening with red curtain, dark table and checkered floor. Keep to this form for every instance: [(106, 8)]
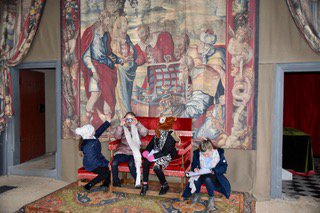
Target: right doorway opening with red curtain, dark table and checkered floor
[(301, 135)]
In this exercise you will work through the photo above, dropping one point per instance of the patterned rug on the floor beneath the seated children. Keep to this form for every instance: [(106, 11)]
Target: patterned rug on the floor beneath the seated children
[(73, 198)]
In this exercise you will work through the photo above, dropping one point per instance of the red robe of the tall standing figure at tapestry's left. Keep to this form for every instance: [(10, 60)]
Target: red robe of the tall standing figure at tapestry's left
[(107, 75)]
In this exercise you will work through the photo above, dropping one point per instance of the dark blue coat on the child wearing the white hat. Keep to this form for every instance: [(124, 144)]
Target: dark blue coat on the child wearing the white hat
[(91, 148)]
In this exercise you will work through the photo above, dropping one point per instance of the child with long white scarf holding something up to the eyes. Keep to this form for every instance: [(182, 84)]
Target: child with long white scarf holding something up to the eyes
[(130, 131)]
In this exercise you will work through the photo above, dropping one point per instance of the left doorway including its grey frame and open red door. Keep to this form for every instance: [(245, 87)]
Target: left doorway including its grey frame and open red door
[(34, 133)]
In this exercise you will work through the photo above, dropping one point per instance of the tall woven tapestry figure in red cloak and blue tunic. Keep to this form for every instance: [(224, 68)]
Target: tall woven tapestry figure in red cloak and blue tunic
[(99, 69)]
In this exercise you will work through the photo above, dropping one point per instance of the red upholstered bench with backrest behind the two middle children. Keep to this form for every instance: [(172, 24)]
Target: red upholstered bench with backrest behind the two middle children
[(181, 163)]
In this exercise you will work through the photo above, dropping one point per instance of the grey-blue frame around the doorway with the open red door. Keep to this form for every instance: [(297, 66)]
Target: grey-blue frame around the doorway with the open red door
[(12, 133)]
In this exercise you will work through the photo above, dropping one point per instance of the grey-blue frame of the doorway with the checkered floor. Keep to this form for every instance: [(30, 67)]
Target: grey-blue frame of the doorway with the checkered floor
[(276, 155)]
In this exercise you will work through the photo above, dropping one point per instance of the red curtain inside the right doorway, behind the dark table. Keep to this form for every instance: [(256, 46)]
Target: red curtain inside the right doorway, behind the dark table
[(302, 105)]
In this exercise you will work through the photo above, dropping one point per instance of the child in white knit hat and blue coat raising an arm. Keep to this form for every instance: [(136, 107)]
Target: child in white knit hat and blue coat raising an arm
[(93, 160)]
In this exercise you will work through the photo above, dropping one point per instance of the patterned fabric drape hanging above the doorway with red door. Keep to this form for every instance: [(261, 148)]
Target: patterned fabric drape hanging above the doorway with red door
[(12, 53)]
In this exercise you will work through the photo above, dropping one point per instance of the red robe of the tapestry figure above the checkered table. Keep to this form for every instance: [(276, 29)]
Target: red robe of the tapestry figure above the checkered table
[(161, 44)]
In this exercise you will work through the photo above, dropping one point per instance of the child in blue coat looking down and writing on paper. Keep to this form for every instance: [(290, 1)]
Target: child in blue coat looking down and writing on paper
[(208, 158)]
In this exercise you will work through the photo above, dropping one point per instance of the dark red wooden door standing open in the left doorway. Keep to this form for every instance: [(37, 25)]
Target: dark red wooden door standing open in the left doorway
[(32, 115)]
